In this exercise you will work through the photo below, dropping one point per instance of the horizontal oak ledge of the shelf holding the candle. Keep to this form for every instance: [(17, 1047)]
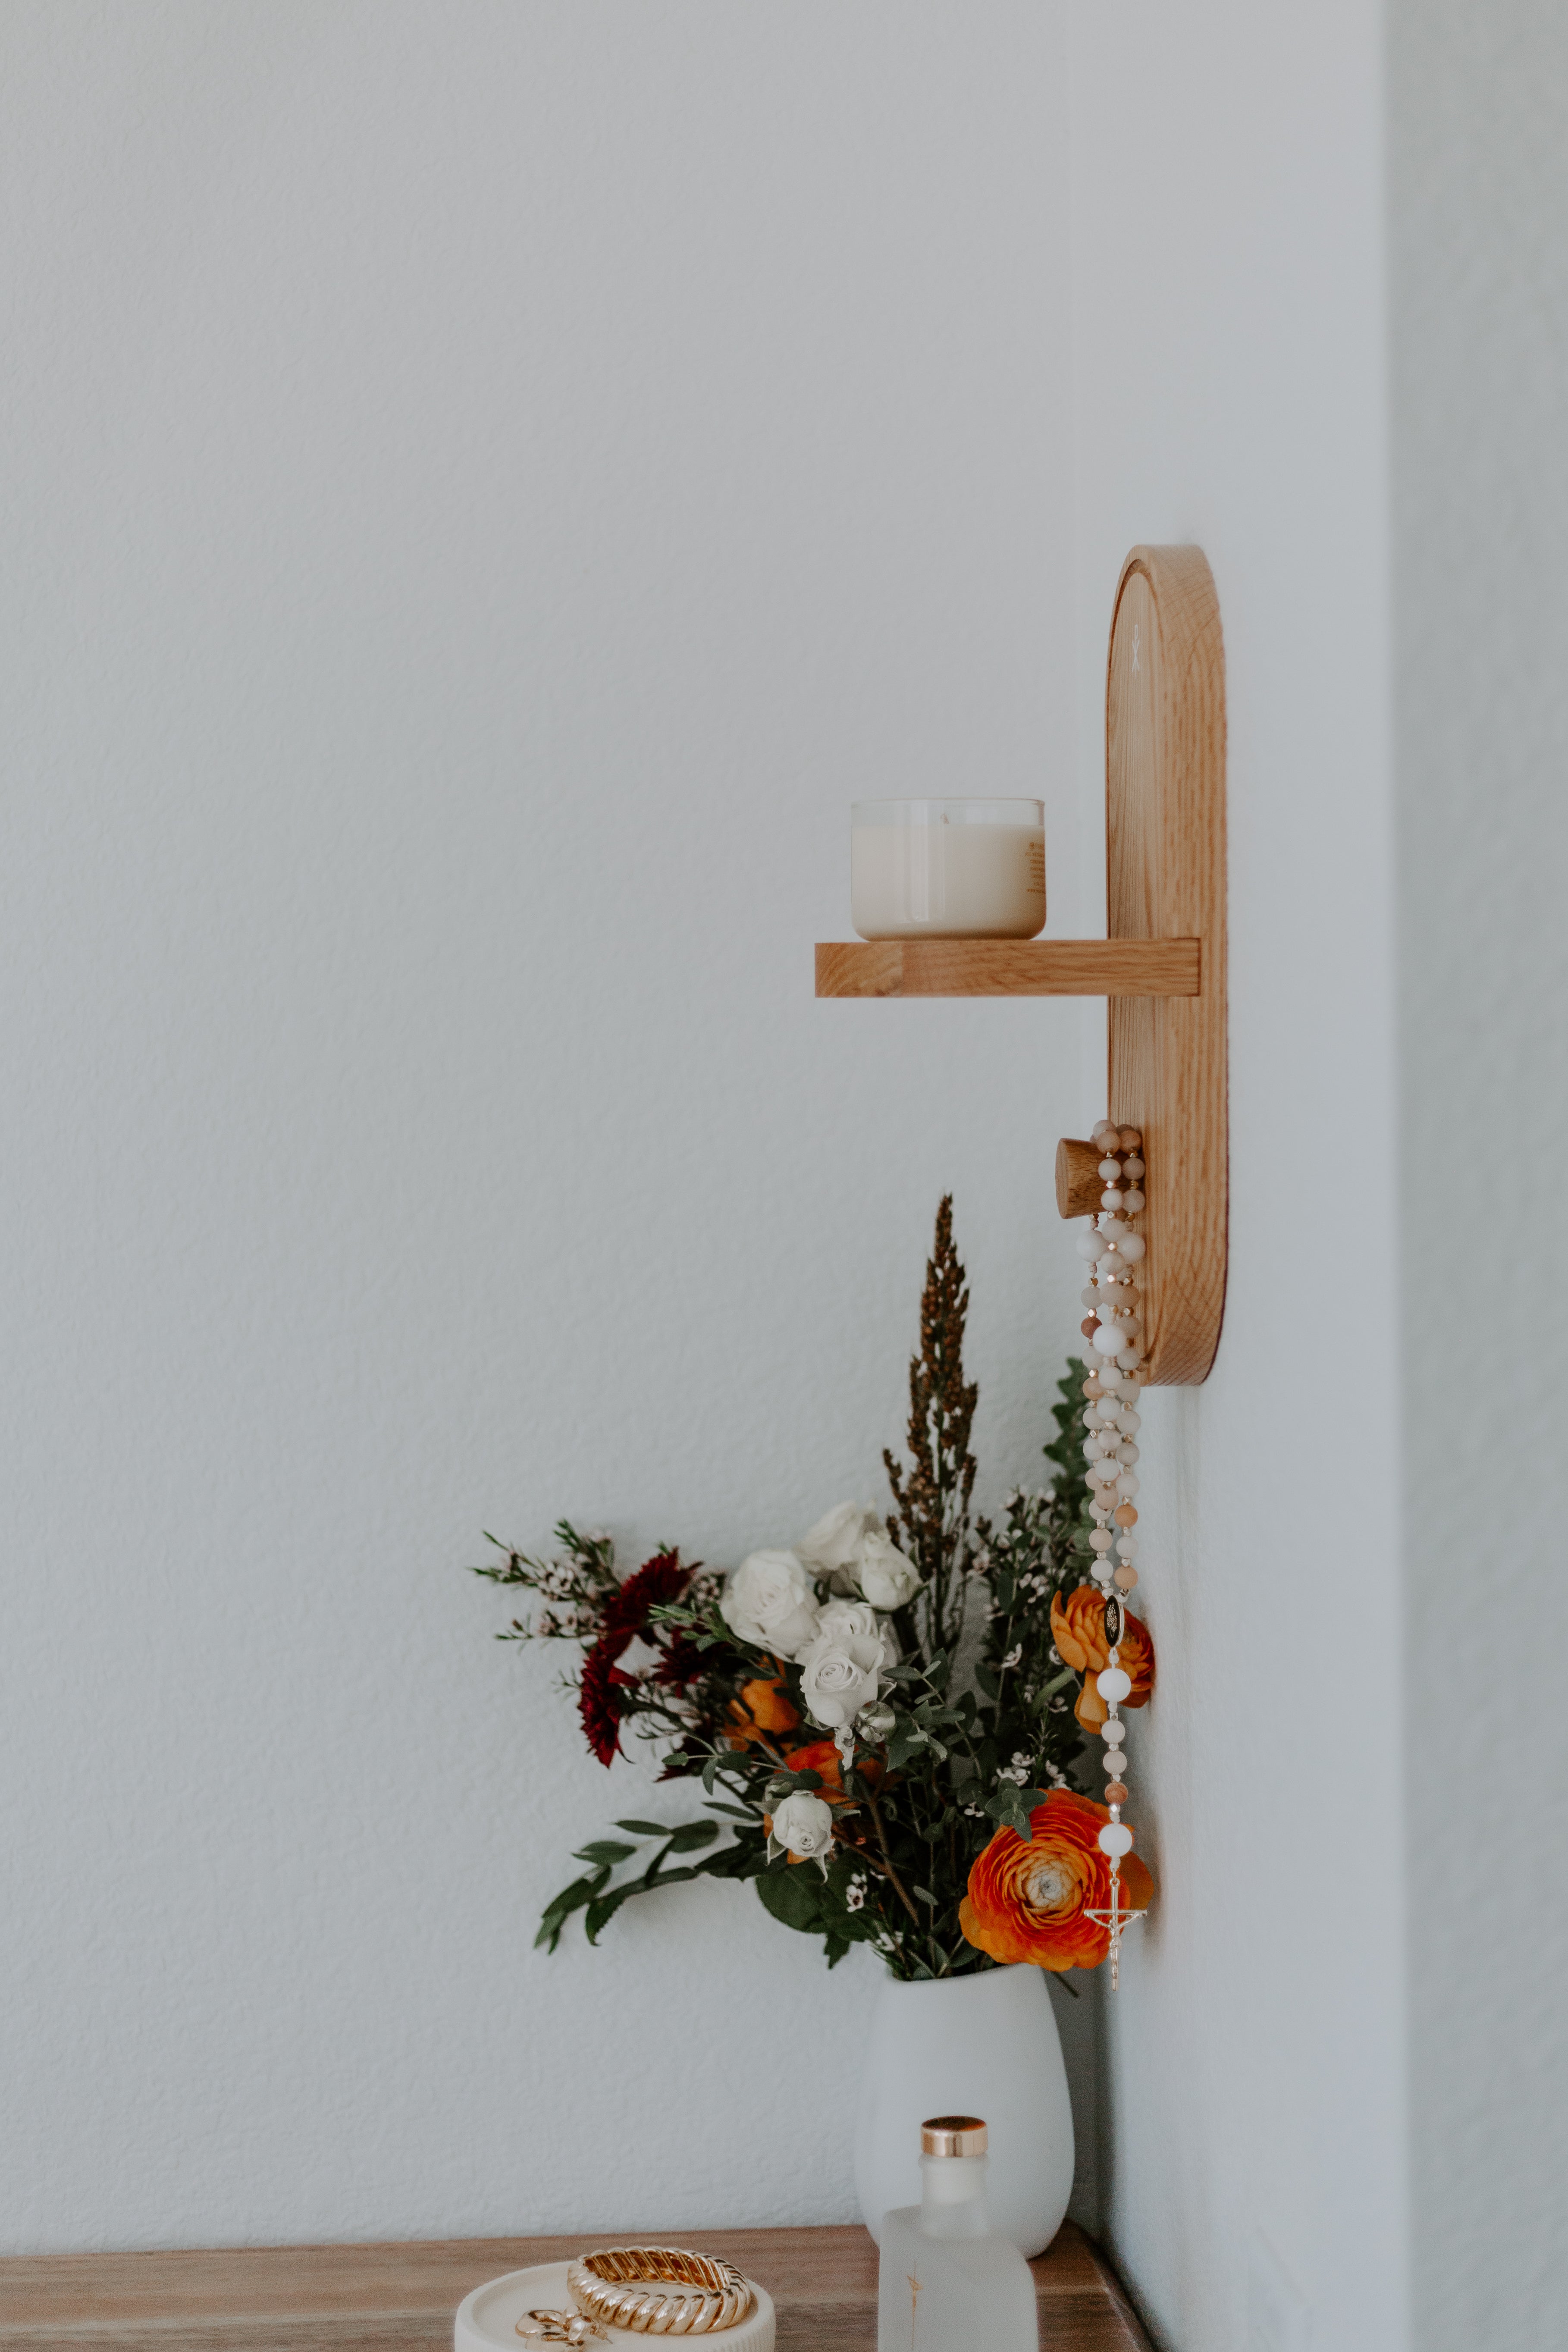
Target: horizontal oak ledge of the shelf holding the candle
[(1010, 968)]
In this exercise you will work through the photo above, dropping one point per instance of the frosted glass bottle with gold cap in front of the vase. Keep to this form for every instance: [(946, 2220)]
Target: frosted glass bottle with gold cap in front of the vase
[(946, 2280)]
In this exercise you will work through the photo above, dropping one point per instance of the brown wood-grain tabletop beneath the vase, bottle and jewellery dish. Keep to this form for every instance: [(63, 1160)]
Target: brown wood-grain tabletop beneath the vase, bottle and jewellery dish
[(401, 2299)]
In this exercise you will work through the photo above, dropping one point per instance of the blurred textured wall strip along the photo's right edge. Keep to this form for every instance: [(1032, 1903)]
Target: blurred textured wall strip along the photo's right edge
[(1480, 213)]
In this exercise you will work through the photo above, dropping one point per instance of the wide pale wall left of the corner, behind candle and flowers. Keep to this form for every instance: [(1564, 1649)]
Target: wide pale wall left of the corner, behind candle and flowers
[(483, 488)]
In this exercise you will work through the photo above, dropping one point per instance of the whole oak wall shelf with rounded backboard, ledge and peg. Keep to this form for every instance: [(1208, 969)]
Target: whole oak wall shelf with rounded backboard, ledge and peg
[(1162, 963)]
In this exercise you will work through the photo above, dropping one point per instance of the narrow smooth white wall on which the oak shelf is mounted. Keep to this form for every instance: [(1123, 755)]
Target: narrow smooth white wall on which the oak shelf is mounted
[(1228, 354)]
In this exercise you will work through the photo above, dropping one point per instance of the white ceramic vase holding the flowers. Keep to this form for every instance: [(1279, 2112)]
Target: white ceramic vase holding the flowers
[(970, 2045)]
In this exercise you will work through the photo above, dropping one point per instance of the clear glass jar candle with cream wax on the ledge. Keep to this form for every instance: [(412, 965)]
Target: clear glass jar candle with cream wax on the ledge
[(949, 869)]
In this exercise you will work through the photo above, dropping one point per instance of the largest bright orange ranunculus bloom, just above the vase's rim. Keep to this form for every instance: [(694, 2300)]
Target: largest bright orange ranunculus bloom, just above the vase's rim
[(1031, 1902)]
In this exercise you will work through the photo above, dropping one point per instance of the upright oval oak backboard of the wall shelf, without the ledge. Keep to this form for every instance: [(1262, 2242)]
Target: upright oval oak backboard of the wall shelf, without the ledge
[(1165, 838)]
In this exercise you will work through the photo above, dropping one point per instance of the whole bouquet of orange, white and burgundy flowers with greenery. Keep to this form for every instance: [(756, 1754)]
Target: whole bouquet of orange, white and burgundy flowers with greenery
[(885, 1718)]
